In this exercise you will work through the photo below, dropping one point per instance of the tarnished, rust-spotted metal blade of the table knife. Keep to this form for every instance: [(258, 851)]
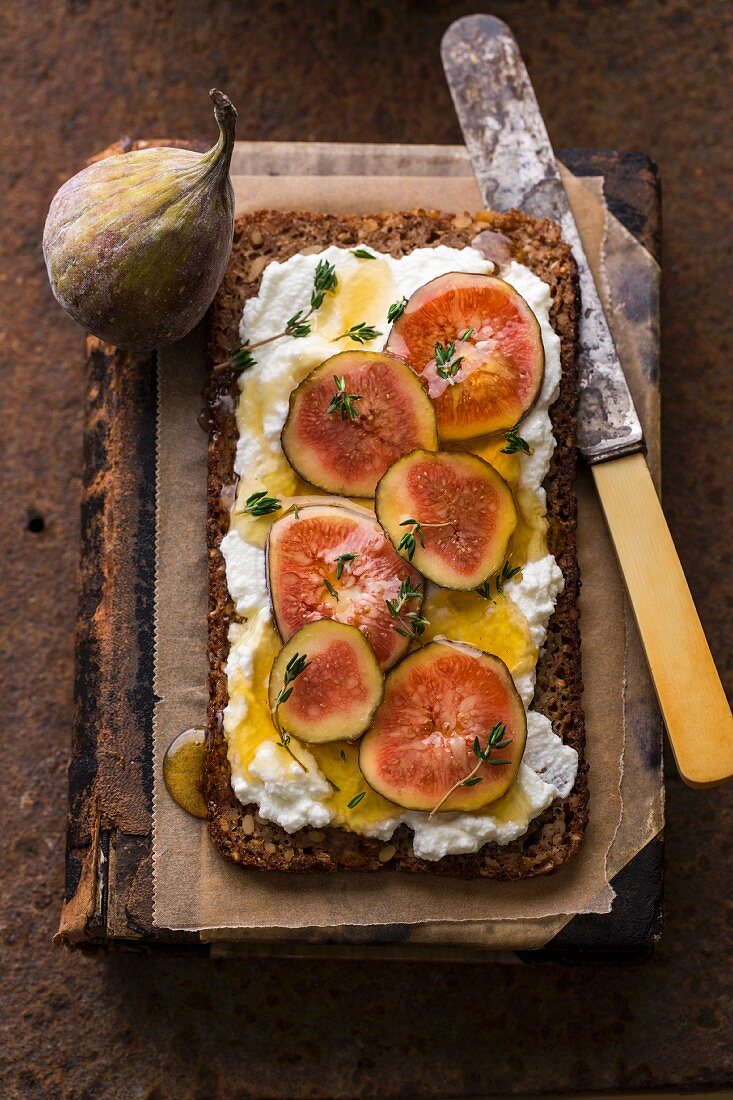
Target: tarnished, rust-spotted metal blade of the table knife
[(516, 167)]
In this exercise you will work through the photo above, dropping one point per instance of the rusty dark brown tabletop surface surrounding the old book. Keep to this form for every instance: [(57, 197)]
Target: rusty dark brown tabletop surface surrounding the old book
[(642, 75)]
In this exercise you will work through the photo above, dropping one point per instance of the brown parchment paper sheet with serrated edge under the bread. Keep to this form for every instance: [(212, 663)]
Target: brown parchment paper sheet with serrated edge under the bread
[(194, 888)]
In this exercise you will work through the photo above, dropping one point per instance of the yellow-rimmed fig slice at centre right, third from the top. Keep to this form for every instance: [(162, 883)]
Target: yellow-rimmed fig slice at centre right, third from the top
[(450, 513)]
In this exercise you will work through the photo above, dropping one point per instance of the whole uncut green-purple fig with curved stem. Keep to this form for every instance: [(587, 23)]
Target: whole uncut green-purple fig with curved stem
[(137, 245)]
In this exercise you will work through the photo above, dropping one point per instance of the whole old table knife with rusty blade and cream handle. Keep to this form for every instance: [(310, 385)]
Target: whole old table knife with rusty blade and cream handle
[(516, 168)]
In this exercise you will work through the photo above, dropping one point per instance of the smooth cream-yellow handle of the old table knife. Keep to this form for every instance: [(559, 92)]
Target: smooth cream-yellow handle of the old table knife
[(692, 698)]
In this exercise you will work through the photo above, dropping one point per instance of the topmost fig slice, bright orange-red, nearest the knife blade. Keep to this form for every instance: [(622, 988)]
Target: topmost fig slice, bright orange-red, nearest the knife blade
[(488, 370)]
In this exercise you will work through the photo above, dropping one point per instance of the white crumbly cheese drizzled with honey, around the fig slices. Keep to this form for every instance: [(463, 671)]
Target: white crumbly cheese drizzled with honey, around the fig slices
[(264, 774)]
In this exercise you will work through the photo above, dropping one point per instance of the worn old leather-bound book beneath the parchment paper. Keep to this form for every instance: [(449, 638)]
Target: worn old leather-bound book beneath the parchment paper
[(110, 875)]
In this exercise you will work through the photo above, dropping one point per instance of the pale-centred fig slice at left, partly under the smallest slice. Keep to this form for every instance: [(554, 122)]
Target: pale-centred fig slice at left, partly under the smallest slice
[(334, 562)]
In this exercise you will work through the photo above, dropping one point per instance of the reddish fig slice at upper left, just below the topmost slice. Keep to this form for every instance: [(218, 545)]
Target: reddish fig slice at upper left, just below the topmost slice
[(353, 417)]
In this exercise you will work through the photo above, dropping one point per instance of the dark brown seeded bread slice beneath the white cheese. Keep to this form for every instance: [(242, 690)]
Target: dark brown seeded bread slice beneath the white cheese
[(237, 831)]
